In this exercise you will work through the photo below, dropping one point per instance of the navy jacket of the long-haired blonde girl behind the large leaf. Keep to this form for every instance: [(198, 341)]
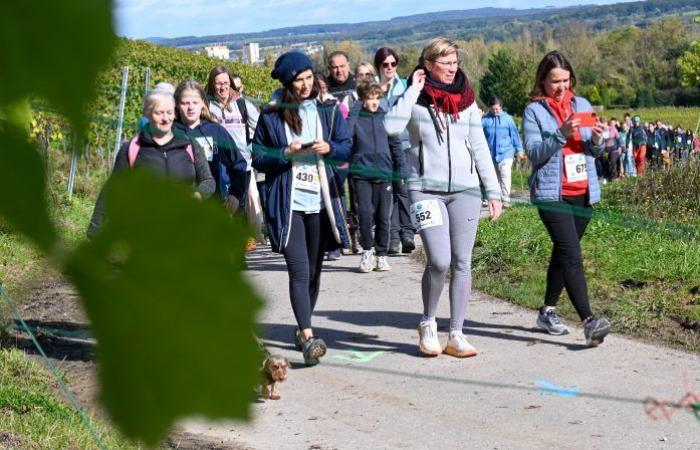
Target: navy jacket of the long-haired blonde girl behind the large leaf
[(226, 163)]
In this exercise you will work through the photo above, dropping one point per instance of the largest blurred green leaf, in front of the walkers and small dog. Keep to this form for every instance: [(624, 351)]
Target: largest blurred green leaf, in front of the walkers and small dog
[(163, 287)]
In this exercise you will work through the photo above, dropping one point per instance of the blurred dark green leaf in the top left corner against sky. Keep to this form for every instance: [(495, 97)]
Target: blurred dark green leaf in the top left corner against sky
[(54, 50)]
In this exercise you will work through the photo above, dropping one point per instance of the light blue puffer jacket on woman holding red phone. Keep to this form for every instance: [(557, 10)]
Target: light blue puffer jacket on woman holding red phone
[(543, 144)]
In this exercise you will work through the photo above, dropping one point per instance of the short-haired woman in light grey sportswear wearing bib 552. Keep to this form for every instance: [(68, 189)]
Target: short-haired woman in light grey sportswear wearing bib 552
[(448, 153)]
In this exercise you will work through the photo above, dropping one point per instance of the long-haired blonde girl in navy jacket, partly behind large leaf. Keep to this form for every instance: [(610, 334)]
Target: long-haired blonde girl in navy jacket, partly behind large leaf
[(227, 164)]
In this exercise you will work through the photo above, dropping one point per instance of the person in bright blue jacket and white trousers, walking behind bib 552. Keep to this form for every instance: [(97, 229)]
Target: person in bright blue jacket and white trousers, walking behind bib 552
[(504, 141)]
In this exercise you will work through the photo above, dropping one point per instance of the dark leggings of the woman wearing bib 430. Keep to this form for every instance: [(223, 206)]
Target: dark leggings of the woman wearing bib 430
[(304, 256)]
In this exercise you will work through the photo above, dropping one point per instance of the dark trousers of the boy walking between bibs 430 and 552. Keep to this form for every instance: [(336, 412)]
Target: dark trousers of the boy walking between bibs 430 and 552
[(374, 202)]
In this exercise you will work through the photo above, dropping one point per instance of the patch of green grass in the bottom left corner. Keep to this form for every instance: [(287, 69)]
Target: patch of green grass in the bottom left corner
[(33, 416)]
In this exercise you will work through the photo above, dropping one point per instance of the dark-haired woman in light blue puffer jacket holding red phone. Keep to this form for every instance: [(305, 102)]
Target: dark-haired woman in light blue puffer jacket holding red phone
[(562, 147)]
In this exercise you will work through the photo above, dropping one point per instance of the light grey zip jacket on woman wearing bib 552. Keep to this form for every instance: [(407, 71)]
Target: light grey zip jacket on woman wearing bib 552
[(452, 164)]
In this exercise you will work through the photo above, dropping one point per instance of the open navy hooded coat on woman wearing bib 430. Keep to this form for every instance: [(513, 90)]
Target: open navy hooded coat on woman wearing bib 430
[(269, 142)]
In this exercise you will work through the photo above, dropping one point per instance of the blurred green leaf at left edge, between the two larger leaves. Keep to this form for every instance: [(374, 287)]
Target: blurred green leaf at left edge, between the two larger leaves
[(23, 203)]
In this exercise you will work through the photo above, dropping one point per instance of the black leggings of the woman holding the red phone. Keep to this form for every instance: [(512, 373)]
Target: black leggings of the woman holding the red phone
[(566, 222)]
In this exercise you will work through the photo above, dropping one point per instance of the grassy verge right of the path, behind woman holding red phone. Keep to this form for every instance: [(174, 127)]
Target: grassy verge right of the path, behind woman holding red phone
[(642, 274)]
